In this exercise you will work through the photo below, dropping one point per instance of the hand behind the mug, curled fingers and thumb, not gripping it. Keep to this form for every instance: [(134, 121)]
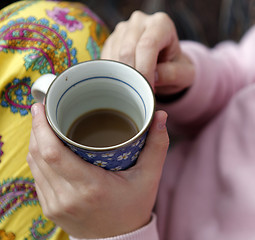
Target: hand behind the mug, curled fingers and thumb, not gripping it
[(150, 44)]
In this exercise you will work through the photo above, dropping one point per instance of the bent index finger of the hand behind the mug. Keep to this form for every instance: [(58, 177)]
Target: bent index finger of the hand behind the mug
[(157, 37)]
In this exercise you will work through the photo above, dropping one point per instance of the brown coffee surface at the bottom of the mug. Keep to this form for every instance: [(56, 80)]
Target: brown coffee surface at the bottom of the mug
[(102, 128)]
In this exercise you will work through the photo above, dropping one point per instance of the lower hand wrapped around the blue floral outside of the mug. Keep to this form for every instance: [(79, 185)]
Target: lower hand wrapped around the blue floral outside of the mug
[(85, 200)]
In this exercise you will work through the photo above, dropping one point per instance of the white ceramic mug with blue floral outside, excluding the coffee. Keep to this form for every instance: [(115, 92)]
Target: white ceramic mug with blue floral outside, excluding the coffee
[(95, 85)]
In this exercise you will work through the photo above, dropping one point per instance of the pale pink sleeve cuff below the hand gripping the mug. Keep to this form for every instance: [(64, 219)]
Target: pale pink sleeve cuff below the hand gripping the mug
[(148, 232)]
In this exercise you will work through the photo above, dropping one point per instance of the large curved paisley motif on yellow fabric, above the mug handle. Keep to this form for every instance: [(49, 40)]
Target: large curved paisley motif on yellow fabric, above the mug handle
[(48, 48)]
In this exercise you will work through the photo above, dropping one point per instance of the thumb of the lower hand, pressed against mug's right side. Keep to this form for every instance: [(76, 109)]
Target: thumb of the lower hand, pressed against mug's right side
[(154, 153)]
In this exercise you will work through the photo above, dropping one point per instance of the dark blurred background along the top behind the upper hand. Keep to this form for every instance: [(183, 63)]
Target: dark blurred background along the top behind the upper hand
[(207, 21)]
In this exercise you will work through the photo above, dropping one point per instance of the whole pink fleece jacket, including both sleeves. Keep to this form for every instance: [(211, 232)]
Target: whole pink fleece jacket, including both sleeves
[(207, 190)]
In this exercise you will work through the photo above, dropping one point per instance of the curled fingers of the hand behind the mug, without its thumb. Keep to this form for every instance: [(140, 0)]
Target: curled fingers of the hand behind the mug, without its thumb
[(142, 41)]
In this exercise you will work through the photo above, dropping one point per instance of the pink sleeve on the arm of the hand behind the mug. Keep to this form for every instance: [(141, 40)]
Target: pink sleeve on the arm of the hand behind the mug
[(220, 73)]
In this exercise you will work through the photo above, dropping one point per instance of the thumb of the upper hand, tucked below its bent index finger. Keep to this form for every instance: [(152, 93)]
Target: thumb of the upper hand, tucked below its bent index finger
[(173, 77)]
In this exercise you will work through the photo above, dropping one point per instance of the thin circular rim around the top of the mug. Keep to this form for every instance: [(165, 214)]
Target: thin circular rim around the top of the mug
[(100, 149)]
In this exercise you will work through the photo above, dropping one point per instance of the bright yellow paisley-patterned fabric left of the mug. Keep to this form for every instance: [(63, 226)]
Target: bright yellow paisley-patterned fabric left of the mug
[(36, 37)]
